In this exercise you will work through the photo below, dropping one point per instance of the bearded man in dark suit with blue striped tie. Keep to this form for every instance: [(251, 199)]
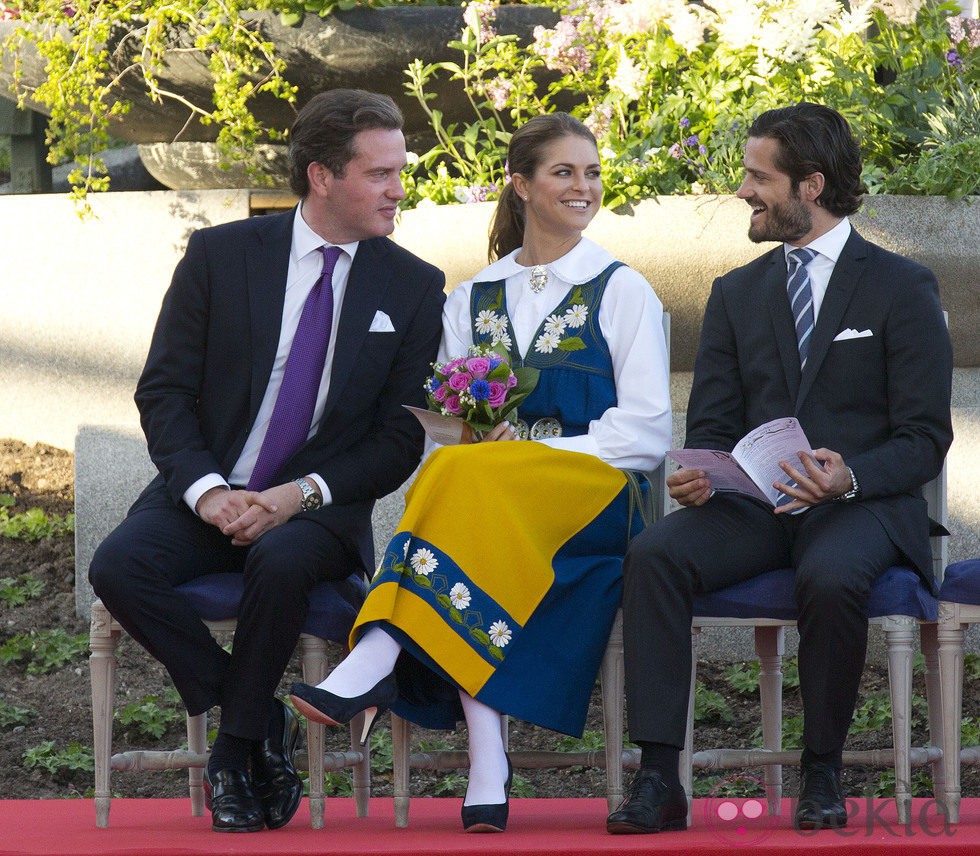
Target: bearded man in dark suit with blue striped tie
[(870, 384)]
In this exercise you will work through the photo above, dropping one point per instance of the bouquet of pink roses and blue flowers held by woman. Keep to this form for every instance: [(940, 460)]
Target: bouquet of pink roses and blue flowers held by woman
[(480, 388)]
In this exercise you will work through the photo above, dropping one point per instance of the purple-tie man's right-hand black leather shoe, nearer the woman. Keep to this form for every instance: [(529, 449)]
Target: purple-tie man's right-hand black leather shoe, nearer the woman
[(275, 782)]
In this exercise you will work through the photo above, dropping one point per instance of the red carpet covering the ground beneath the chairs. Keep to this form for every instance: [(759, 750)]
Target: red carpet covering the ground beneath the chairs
[(538, 826)]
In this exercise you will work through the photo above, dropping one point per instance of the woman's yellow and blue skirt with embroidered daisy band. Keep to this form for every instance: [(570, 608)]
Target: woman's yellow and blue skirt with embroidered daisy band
[(503, 580)]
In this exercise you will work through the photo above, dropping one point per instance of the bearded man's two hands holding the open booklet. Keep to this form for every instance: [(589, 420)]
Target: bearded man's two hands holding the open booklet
[(824, 477)]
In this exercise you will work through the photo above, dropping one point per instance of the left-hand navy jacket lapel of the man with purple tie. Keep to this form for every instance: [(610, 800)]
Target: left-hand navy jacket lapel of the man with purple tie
[(266, 266)]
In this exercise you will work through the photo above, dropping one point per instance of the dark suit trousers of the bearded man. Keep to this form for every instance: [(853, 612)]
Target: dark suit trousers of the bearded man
[(838, 551)]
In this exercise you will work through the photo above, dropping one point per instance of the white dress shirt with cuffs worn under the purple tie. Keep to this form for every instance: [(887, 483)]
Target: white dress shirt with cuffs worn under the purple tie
[(305, 268)]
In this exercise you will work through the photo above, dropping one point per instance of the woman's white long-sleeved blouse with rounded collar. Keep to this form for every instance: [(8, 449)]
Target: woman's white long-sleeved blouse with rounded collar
[(636, 432)]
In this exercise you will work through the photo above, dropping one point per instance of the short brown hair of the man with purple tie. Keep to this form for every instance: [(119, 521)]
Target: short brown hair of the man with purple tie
[(325, 128)]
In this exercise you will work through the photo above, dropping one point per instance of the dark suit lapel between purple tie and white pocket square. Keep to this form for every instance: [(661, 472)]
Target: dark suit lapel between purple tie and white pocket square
[(368, 280)]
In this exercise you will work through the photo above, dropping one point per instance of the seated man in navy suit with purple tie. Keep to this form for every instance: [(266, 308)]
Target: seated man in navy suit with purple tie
[(207, 396)]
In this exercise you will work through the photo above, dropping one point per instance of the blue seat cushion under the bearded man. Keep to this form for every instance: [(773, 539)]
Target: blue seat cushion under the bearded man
[(898, 591)]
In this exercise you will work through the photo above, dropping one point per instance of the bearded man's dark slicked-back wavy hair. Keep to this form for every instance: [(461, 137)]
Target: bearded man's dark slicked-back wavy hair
[(813, 138)]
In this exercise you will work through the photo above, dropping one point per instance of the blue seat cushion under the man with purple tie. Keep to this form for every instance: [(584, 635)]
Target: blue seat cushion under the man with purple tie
[(333, 605)]
